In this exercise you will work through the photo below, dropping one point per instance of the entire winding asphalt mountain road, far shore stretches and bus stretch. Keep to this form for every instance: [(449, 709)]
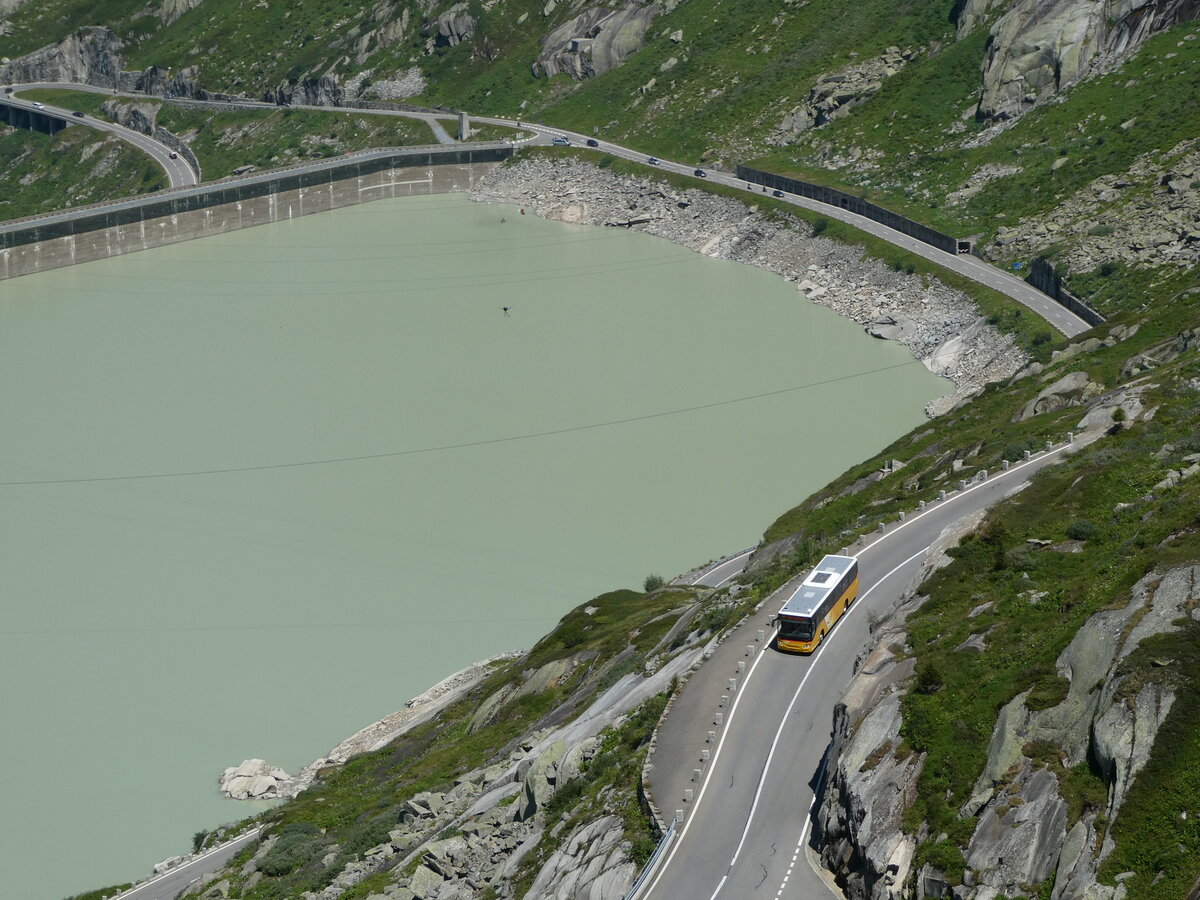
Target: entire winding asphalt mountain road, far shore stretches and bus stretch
[(745, 831)]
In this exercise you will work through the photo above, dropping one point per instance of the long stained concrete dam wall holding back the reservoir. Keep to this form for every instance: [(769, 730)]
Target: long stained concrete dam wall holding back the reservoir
[(103, 231)]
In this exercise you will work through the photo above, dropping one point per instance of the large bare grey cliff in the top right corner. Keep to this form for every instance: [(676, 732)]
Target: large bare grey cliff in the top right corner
[(1041, 47)]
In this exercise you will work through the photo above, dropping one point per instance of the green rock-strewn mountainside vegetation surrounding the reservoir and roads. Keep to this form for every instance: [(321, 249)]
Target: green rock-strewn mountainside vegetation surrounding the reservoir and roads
[(1087, 153)]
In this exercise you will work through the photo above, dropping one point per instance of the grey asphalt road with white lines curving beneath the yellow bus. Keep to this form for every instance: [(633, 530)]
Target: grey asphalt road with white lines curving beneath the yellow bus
[(743, 835)]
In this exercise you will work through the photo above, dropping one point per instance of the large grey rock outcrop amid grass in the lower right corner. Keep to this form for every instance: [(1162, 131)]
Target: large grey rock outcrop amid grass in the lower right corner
[(1111, 716)]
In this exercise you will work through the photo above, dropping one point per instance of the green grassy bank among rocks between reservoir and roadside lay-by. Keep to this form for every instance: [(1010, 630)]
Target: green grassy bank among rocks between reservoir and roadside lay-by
[(357, 805)]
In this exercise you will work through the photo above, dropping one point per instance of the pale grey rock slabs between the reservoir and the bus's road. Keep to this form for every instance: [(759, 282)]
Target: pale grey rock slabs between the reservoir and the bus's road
[(454, 843)]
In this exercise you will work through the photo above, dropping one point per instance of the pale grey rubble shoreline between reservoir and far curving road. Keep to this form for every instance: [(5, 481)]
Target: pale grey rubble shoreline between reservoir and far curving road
[(940, 326)]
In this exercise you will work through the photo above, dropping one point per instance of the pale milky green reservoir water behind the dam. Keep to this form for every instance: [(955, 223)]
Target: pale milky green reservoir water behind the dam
[(262, 489)]
